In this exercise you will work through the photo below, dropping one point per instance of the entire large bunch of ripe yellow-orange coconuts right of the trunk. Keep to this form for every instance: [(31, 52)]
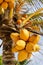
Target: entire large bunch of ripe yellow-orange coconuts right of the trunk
[(25, 43)]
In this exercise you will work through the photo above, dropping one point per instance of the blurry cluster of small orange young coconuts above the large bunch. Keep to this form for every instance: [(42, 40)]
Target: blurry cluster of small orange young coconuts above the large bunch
[(28, 24)]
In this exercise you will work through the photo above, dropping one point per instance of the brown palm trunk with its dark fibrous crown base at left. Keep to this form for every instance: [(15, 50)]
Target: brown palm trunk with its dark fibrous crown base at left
[(8, 56)]
